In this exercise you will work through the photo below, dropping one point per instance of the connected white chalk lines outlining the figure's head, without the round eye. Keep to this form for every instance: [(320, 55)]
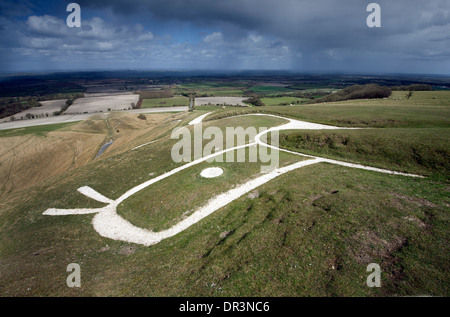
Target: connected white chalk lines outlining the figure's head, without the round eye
[(110, 225)]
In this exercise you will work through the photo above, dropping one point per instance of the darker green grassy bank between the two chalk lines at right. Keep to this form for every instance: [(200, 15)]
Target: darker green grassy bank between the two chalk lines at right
[(421, 151)]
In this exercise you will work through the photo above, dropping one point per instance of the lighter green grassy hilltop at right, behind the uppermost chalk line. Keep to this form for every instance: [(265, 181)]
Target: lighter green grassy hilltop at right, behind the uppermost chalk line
[(423, 109)]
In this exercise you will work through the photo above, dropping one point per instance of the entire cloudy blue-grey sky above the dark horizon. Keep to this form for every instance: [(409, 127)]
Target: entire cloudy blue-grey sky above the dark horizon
[(294, 35)]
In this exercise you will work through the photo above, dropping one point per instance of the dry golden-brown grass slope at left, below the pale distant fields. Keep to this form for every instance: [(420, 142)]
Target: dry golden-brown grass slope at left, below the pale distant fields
[(29, 159)]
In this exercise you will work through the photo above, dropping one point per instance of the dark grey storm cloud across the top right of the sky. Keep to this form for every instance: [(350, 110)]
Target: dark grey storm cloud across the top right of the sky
[(307, 25)]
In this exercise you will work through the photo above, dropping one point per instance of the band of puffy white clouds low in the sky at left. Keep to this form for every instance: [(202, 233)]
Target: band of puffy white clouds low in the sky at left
[(99, 43)]
